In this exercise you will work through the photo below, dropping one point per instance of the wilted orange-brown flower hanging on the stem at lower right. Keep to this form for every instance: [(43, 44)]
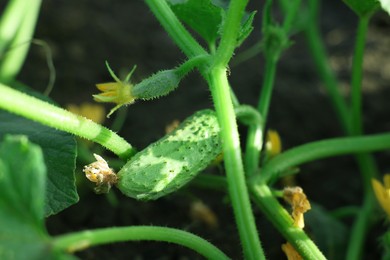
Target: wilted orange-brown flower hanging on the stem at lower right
[(299, 204)]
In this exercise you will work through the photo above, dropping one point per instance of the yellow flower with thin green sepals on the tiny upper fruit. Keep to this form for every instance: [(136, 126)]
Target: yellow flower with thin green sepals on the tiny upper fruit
[(118, 92)]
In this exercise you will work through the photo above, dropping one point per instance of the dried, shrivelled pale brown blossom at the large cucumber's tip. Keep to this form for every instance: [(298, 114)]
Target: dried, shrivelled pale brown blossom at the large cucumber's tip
[(100, 173)]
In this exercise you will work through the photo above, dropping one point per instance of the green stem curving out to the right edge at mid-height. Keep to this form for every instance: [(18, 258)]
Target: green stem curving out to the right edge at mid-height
[(323, 149)]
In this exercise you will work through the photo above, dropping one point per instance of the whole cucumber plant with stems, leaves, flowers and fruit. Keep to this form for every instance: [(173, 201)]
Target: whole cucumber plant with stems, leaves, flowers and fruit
[(38, 133)]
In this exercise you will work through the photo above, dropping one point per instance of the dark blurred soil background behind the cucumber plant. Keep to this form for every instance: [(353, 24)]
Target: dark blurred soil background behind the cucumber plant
[(83, 34)]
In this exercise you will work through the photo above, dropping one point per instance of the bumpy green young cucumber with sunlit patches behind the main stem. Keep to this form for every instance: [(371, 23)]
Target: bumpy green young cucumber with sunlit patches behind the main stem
[(171, 162)]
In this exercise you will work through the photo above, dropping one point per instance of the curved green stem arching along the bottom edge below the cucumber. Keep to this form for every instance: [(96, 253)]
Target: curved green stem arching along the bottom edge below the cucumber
[(81, 240)]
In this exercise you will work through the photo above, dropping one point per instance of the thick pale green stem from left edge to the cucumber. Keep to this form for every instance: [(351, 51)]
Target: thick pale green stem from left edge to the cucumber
[(40, 111)]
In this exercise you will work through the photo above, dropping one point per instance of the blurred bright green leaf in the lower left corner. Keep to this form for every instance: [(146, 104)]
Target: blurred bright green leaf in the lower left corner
[(22, 187)]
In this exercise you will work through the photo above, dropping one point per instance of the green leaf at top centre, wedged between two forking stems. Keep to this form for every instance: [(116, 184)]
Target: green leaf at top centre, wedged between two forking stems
[(201, 15)]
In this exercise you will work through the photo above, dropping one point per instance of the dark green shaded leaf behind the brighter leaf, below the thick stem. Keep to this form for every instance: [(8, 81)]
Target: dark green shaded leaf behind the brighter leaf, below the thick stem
[(59, 152)]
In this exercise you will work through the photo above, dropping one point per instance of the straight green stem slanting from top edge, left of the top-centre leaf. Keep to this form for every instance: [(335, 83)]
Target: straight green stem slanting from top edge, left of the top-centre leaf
[(175, 29)]
